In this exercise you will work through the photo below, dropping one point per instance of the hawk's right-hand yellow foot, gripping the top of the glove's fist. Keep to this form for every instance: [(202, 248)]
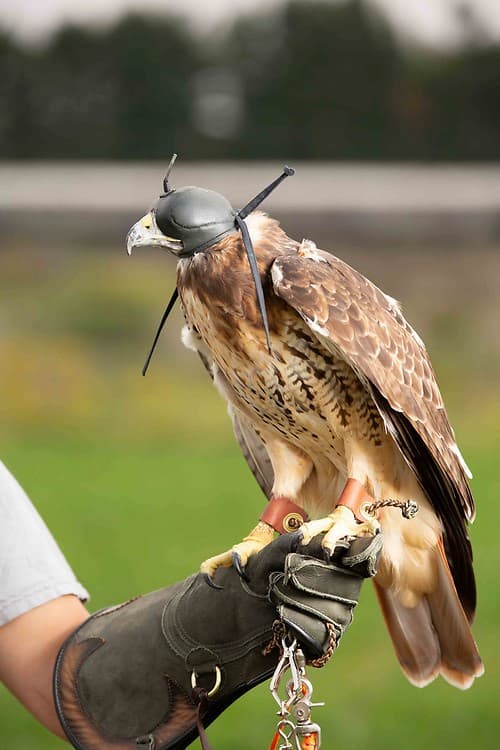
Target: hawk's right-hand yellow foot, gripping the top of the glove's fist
[(338, 525)]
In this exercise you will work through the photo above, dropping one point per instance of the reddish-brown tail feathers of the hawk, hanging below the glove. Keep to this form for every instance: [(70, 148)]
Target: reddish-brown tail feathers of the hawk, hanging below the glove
[(434, 637)]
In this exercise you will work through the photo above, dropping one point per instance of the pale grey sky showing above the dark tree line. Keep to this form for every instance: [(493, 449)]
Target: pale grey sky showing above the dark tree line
[(434, 21)]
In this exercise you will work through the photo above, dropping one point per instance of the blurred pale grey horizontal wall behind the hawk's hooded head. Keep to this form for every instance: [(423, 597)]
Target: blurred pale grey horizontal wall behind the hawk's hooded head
[(61, 203)]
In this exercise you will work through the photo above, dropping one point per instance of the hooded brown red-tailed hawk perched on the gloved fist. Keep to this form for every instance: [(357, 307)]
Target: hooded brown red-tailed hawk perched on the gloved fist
[(335, 405)]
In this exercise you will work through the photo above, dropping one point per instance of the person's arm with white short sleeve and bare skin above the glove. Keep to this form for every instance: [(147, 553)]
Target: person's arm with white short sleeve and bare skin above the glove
[(40, 602)]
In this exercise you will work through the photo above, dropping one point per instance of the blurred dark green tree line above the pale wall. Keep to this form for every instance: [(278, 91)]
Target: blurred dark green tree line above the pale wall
[(312, 80)]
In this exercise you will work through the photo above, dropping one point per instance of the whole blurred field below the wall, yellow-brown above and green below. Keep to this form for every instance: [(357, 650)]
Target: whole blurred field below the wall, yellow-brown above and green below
[(140, 479)]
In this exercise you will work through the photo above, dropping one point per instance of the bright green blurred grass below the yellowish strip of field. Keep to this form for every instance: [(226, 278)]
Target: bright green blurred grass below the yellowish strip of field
[(132, 518)]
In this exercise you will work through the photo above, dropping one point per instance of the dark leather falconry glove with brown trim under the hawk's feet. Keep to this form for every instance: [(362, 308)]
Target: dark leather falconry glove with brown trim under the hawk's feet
[(150, 672)]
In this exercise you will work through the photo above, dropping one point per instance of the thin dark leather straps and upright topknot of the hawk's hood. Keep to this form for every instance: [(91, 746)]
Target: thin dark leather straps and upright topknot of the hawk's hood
[(240, 224)]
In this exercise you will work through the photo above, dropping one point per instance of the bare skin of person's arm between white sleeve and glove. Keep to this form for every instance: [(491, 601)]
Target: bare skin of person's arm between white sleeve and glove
[(28, 648)]
